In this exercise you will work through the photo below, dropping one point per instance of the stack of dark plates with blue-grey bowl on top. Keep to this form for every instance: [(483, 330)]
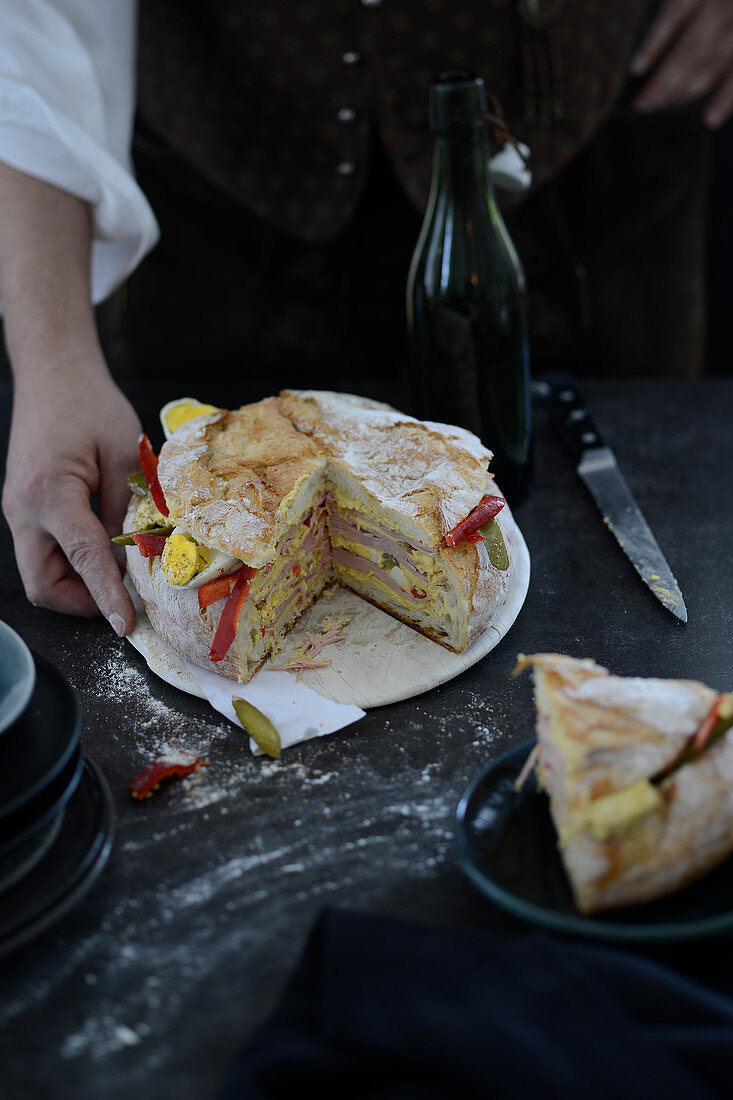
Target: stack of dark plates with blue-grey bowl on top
[(57, 812)]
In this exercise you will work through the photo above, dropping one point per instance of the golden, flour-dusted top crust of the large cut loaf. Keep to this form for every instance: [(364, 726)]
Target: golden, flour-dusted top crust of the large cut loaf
[(233, 479)]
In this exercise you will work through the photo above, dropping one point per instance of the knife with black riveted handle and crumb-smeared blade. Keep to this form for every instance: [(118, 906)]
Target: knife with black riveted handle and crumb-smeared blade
[(599, 471)]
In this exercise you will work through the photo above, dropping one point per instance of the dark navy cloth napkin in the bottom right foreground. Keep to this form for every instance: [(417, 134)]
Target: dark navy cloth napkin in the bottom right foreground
[(389, 1010)]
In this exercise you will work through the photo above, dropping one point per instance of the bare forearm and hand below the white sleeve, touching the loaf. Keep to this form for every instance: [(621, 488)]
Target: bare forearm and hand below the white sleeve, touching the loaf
[(74, 434)]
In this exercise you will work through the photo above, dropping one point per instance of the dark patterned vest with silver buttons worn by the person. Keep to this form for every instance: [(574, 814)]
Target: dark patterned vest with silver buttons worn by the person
[(275, 102)]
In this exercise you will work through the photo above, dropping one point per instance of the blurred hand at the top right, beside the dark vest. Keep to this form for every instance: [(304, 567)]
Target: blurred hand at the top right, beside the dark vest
[(687, 54)]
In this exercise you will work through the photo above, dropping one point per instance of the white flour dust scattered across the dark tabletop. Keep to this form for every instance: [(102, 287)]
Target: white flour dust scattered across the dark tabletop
[(380, 841)]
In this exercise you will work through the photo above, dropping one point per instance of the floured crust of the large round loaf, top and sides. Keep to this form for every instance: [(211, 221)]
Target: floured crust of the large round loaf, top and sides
[(239, 480)]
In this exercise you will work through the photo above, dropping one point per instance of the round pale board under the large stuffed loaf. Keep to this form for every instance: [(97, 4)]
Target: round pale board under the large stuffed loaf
[(381, 661)]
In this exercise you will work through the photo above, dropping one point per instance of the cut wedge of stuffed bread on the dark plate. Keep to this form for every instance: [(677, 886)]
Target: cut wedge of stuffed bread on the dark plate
[(640, 778)]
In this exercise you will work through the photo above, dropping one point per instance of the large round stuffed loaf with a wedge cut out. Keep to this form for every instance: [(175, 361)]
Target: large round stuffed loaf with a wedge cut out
[(253, 513)]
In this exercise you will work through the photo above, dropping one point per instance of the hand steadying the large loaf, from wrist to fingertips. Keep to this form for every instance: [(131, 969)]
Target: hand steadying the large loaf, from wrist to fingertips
[(73, 438)]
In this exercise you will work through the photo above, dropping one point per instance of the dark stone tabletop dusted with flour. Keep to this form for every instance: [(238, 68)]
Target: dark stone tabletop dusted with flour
[(183, 947)]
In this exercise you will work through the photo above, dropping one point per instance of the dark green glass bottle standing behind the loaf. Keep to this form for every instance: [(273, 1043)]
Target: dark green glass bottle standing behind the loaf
[(466, 293)]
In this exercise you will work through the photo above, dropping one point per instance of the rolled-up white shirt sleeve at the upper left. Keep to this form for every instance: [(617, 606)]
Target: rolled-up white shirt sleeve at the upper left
[(67, 112)]
